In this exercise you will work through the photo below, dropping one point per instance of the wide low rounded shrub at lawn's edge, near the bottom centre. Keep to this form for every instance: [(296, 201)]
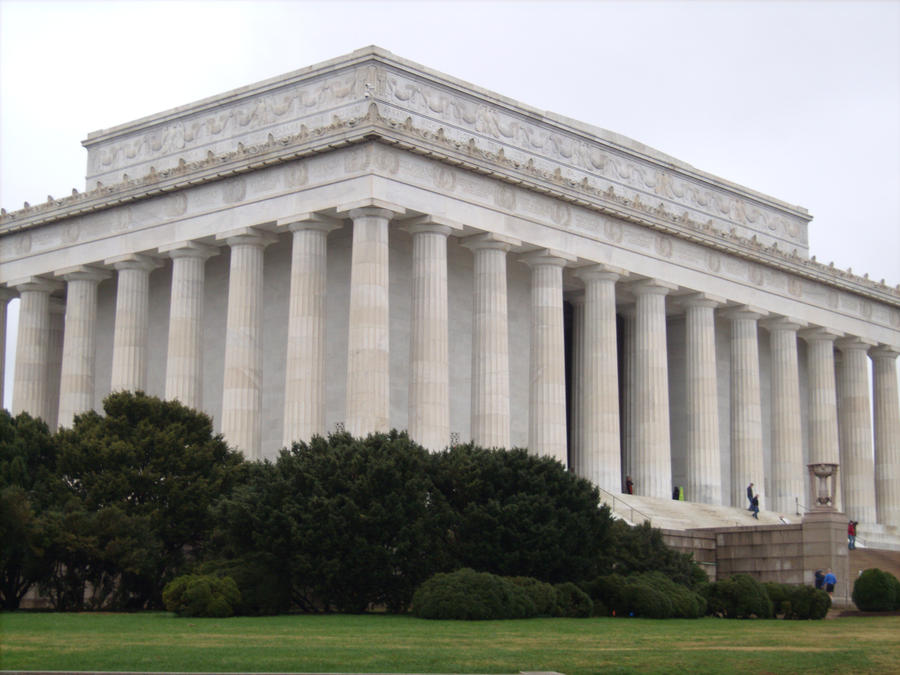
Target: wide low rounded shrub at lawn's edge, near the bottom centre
[(469, 595)]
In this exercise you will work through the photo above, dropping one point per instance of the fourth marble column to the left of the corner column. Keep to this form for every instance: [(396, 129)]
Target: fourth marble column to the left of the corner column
[(132, 324)]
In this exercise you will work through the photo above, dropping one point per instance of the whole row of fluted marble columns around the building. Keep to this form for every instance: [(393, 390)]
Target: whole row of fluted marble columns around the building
[(840, 427)]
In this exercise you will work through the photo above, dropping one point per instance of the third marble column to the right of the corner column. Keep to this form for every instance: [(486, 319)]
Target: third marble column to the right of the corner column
[(547, 402)]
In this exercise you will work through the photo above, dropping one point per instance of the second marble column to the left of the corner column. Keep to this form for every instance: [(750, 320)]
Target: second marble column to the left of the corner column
[(242, 383)]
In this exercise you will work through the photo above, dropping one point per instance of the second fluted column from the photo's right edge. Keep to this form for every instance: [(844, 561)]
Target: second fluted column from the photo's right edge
[(855, 427)]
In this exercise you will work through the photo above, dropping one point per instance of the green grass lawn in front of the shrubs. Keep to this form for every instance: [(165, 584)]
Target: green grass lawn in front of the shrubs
[(387, 644)]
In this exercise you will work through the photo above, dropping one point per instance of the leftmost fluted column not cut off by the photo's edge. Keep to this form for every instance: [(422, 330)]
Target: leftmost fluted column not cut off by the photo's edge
[(32, 347)]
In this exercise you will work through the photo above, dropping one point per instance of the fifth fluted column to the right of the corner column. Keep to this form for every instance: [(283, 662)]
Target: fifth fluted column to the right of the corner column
[(652, 459)]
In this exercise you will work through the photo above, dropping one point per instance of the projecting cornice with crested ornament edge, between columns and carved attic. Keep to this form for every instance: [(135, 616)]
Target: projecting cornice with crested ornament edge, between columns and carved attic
[(470, 156)]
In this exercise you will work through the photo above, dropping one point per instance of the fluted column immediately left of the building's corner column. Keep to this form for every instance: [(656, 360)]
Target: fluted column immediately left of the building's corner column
[(304, 377)]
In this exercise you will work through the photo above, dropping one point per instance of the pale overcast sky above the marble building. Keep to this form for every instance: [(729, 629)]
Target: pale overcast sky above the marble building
[(798, 100)]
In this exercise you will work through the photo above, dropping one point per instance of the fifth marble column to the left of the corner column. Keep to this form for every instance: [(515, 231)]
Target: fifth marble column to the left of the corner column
[(79, 341)]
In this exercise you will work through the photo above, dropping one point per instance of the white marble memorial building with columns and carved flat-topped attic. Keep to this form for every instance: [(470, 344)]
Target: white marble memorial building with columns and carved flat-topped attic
[(366, 244)]
